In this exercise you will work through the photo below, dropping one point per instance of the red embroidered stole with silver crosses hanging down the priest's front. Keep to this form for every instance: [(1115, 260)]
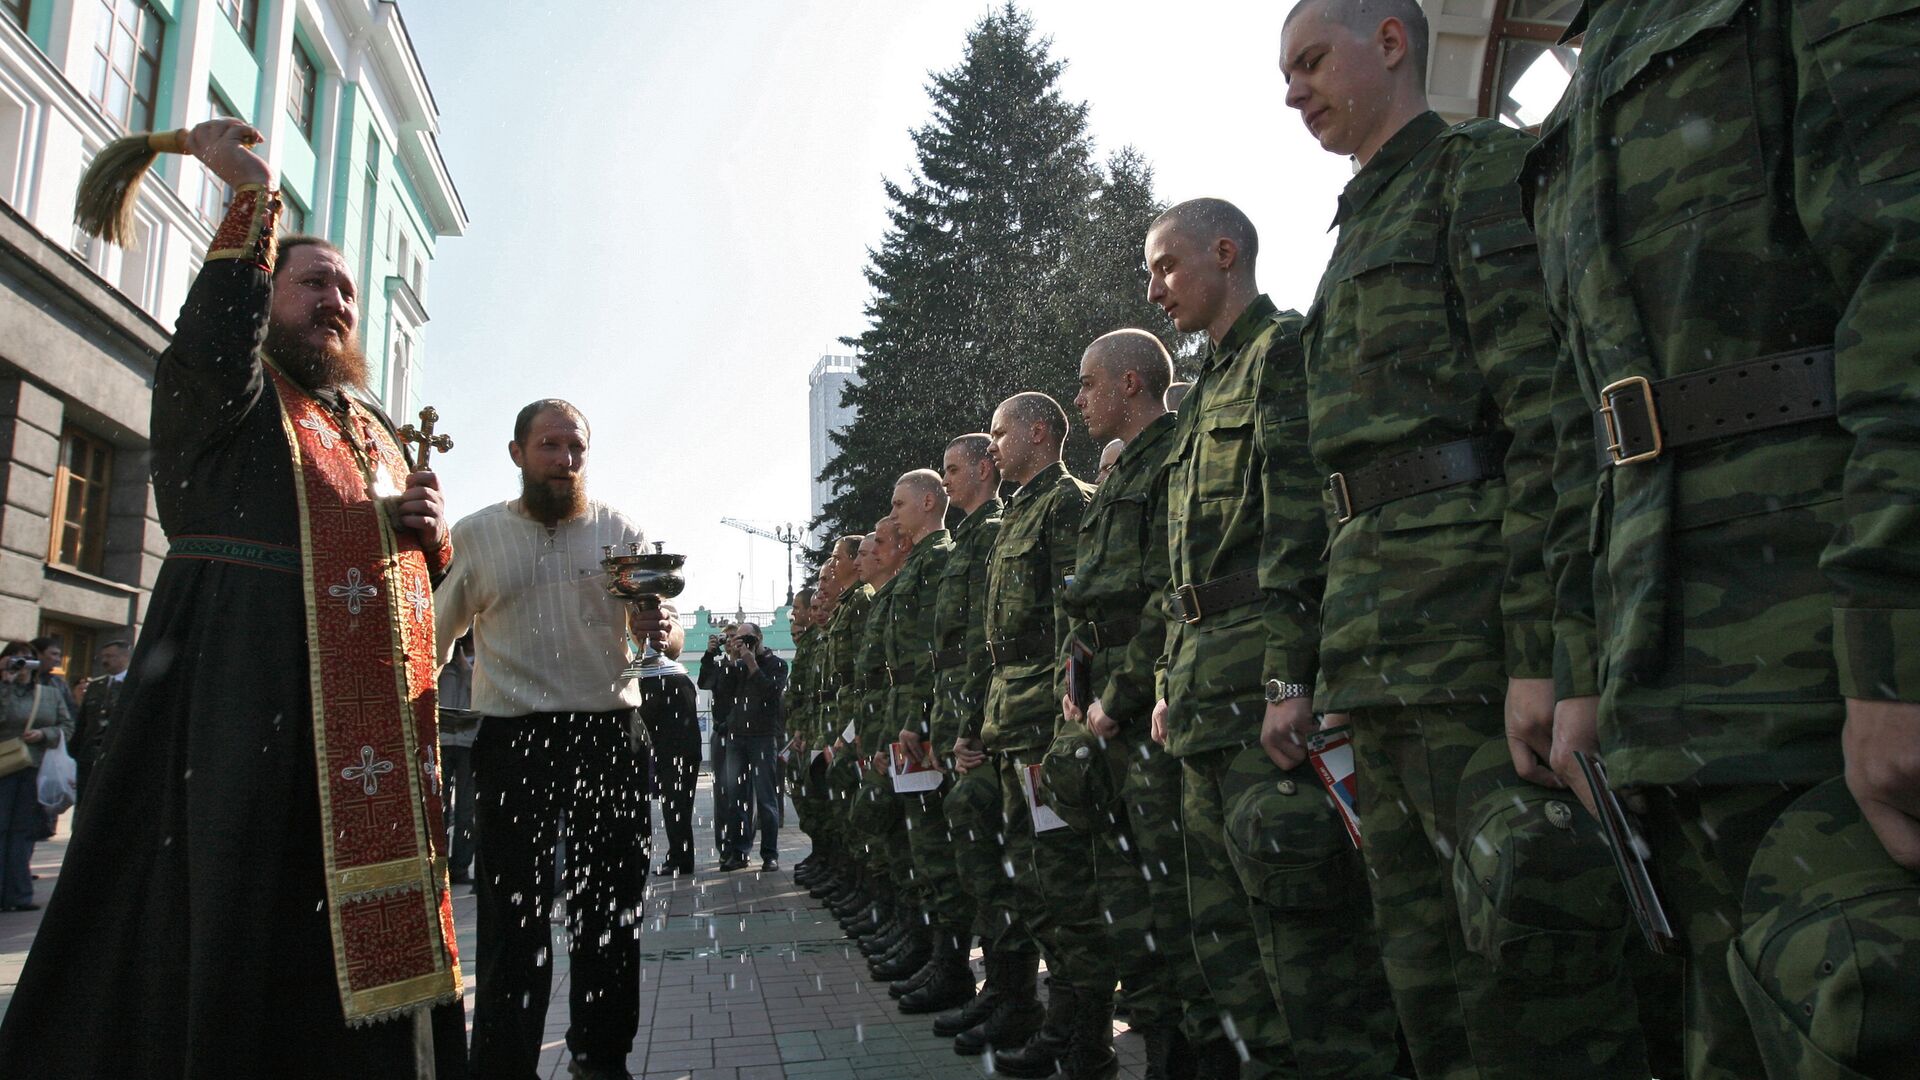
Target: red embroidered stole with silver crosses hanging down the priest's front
[(375, 727)]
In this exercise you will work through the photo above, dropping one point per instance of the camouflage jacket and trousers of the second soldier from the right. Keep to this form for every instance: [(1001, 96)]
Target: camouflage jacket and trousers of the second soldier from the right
[(1429, 337)]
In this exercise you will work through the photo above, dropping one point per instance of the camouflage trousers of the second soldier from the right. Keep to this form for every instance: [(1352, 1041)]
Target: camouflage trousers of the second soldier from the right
[(1570, 1010)]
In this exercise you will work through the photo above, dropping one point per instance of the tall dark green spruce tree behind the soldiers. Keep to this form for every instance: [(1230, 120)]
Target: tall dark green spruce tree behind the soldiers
[(1007, 251)]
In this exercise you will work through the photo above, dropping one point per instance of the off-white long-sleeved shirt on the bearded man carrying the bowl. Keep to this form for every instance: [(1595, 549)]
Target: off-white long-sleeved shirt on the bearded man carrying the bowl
[(548, 637)]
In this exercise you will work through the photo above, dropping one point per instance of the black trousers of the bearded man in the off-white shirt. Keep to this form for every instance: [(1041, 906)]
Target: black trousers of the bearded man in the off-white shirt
[(533, 773)]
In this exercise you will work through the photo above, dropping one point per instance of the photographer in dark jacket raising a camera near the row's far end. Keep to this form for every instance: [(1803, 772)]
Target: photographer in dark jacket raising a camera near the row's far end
[(756, 731)]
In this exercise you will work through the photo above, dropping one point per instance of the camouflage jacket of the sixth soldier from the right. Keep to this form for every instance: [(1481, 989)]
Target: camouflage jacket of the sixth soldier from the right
[(961, 631)]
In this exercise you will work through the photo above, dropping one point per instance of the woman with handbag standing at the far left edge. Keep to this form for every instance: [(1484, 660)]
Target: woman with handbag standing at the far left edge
[(32, 720)]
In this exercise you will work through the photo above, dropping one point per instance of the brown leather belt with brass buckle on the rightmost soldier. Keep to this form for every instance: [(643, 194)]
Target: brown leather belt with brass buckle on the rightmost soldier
[(1639, 418)]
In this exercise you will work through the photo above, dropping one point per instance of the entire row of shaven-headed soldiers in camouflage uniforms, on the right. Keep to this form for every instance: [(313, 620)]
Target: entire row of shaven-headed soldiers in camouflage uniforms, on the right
[(1602, 441)]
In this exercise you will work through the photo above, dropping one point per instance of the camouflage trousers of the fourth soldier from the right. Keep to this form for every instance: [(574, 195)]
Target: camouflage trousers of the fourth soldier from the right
[(1151, 923)]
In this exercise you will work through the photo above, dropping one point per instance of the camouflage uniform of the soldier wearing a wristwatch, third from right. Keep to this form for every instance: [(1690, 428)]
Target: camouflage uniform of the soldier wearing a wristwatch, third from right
[(1243, 501)]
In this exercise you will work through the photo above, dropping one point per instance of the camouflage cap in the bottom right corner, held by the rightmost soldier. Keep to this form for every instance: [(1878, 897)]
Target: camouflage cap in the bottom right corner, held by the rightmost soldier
[(1829, 962)]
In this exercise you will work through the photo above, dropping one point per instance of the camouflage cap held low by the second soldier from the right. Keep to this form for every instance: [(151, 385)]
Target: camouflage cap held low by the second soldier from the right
[(1531, 864)]
